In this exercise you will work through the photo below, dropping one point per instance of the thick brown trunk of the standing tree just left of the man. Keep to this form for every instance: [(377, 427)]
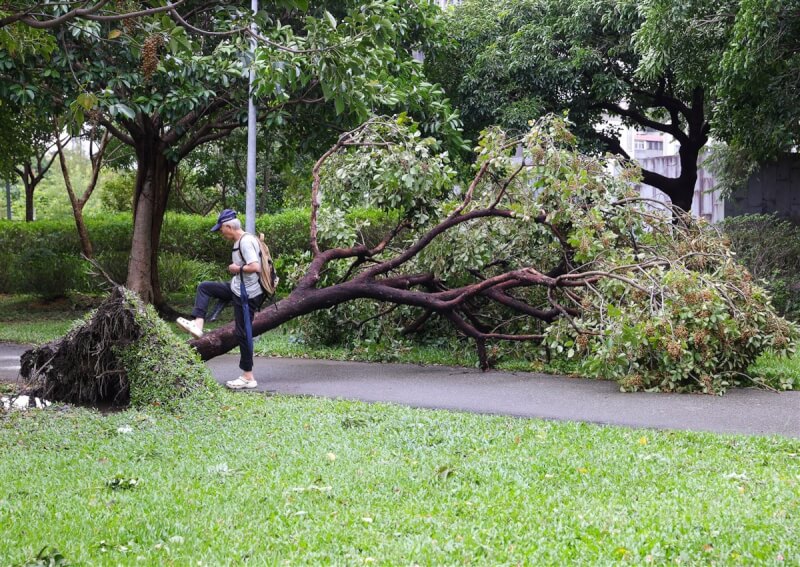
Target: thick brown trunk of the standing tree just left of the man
[(150, 197)]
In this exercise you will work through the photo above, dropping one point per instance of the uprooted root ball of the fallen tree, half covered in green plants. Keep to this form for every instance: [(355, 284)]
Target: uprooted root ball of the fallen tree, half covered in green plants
[(122, 354)]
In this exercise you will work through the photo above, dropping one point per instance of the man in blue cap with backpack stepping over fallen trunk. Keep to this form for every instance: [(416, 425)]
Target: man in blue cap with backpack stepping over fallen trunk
[(245, 263)]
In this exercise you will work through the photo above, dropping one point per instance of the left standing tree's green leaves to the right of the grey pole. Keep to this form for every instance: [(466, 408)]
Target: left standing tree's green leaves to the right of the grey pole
[(361, 62)]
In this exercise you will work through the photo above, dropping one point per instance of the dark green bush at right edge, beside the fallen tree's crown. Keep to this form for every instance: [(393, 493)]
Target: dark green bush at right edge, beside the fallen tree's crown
[(769, 246)]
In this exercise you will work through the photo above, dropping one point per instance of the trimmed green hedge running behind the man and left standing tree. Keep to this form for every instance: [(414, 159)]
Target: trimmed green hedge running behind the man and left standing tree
[(43, 257)]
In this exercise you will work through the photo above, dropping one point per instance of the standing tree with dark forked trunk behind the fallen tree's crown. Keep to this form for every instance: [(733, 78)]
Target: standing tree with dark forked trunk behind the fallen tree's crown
[(507, 61)]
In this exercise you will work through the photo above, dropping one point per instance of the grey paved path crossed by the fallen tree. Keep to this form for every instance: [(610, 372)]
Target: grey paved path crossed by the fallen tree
[(510, 393)]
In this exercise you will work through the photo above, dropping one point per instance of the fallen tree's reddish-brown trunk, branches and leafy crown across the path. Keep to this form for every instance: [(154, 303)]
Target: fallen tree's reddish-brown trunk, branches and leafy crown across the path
[(547, 247)]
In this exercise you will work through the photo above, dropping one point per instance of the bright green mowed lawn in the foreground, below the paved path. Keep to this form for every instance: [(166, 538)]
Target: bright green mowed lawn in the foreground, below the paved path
[(282, 480)]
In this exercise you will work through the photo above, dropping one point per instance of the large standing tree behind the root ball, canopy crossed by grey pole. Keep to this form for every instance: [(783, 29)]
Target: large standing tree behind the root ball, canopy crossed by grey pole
[(166, 84)]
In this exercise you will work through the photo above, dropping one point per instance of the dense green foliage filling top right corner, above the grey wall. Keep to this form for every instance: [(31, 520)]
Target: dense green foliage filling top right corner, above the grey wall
[(745, 52)]
